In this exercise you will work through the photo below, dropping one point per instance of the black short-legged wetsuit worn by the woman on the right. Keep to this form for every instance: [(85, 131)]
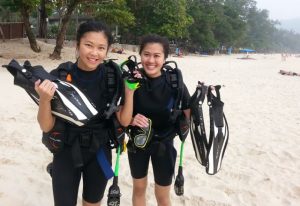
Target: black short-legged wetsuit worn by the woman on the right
[(155, 100)]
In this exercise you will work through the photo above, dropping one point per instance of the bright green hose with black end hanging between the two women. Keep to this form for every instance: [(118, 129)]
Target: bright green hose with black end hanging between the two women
[(114, 194)]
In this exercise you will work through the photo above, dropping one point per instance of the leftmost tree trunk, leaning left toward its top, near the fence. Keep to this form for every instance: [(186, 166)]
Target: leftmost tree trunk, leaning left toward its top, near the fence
[(32, 40)]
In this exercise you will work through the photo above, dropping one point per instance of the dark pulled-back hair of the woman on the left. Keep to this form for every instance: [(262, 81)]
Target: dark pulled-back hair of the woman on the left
[(96, 26)]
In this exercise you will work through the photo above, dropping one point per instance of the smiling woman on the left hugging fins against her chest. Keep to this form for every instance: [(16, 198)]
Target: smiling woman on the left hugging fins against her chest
[(85, 150)]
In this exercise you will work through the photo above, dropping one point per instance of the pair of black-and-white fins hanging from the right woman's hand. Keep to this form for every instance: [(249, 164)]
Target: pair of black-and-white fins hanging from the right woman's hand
[(209, 152)]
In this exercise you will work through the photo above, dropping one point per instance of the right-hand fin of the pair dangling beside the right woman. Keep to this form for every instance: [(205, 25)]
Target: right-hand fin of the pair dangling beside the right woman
[(219, 131)]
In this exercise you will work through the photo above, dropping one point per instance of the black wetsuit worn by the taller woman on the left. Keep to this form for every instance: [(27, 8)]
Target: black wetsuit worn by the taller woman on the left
[(65, 175)]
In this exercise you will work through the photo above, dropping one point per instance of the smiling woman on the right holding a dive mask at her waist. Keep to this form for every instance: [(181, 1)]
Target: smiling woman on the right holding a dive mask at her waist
[(154, 103)]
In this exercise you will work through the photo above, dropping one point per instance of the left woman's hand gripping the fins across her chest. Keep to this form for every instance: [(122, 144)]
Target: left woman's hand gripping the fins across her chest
[(45, 90)]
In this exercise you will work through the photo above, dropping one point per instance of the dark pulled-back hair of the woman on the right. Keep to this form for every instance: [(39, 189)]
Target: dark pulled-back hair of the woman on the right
[(154, 38)]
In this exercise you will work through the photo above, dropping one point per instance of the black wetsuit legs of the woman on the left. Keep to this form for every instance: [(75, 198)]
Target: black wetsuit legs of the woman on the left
[(66, 178)]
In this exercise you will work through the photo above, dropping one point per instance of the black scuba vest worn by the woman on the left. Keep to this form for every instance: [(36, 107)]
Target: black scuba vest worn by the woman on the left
[(54, 140)]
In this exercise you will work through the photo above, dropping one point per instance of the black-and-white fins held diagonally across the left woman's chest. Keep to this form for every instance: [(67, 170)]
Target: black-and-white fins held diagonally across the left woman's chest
[(68, 102)]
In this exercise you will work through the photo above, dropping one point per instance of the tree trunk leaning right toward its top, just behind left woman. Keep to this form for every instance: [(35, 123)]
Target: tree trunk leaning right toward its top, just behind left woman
[(62, 30)]
